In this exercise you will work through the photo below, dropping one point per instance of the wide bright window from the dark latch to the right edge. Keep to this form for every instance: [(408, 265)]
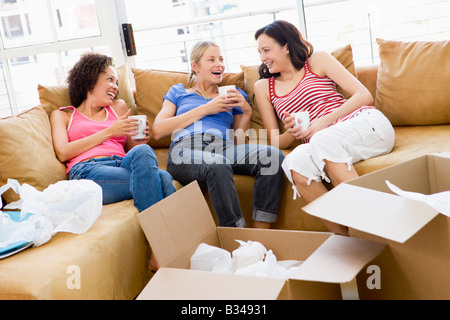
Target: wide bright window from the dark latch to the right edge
[(163, 40)]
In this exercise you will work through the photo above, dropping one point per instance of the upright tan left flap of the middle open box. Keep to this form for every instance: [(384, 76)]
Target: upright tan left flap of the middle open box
[(177, 223)]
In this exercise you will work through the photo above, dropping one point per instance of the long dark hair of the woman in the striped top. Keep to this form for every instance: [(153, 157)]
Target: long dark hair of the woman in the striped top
[(284, 33)]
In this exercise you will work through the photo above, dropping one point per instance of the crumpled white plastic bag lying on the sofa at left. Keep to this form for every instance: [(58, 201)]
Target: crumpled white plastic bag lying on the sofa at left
[(66, 206)]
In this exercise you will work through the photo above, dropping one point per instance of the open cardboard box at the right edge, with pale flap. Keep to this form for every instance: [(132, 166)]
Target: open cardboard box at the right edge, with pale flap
[(416, 264)]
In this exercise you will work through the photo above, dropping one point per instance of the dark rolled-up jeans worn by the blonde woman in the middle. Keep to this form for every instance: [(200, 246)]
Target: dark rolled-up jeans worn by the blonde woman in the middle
[(212, 161)]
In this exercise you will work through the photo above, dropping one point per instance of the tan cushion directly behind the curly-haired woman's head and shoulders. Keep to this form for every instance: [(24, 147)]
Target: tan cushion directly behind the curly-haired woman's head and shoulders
[(54, 97)]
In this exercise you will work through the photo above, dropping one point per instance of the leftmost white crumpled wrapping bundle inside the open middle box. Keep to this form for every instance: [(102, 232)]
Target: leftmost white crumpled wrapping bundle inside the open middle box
[(210, 258)]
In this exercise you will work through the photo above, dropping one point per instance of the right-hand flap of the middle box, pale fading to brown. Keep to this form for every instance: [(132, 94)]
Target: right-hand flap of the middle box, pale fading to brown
[(338, 260)]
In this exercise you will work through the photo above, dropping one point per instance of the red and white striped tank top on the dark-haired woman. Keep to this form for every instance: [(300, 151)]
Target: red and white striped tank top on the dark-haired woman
[(314, 94)]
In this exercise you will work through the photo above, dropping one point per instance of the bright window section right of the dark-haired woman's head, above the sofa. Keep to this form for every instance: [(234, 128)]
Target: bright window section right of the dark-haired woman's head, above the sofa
[(332, 24)]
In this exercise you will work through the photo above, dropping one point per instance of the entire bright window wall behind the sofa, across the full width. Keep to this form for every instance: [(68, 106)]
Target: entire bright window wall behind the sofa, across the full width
[(40, 40)]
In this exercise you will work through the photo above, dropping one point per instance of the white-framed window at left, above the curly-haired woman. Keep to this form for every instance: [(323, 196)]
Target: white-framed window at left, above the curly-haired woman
[(40, 40)]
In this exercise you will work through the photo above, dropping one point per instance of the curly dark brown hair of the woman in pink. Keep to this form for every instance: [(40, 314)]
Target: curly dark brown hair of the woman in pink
[(84, 75)]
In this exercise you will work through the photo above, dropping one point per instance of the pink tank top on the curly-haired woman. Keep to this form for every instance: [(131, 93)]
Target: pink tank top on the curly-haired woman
[(80, 127)]
